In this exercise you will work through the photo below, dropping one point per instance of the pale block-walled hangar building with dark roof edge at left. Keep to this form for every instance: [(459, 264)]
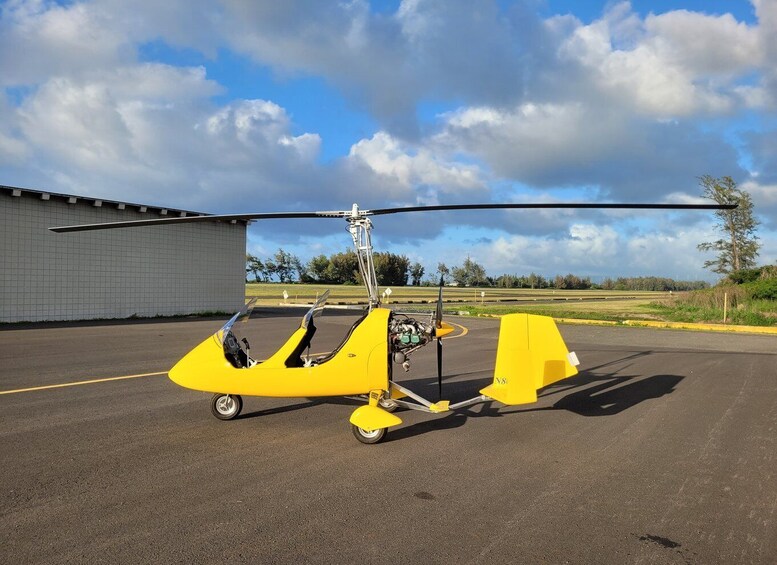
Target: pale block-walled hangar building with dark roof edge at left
[(148, 271)]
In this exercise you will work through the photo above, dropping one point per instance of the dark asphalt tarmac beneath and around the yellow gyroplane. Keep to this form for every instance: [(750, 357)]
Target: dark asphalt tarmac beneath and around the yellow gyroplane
[(662, 450)]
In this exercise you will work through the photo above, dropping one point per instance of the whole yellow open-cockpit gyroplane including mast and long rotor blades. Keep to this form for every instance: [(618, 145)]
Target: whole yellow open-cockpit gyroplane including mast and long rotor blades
[(531, 353)]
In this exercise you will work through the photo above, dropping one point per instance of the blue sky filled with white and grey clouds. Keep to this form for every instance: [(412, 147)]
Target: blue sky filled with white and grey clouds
[(259, 106)]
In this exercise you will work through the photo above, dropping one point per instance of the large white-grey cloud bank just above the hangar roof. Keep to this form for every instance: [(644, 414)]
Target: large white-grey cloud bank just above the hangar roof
[(149, 131)]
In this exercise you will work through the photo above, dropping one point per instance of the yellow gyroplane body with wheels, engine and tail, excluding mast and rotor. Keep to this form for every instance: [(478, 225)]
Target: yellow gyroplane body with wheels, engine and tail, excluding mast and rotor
[(362, 365)]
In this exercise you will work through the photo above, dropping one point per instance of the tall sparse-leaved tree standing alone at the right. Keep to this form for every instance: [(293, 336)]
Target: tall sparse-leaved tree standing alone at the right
[(739, 246)]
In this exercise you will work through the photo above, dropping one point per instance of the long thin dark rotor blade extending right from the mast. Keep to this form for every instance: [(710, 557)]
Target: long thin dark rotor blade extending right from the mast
[(552, 205)]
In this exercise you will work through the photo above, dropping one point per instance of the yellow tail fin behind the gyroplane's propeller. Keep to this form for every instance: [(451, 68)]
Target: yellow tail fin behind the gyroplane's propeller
[(531, 354)]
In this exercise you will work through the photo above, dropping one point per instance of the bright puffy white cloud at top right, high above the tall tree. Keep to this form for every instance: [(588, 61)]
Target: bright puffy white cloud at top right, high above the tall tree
[(678, 63)]
